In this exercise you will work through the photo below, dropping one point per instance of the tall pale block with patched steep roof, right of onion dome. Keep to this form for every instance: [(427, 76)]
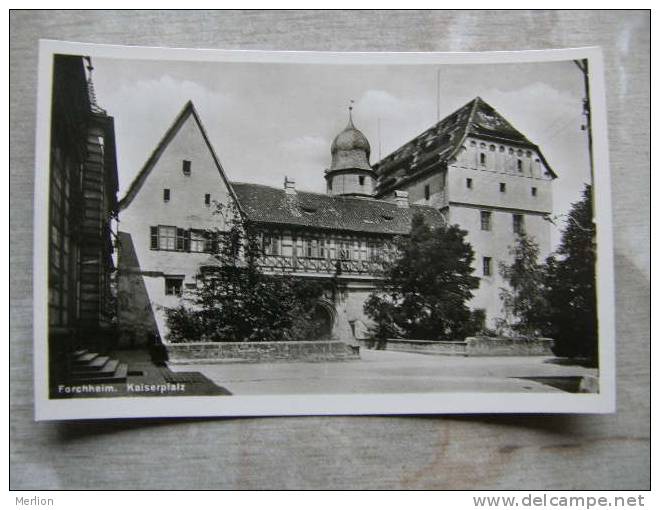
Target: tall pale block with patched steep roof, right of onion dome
[(484, 175)]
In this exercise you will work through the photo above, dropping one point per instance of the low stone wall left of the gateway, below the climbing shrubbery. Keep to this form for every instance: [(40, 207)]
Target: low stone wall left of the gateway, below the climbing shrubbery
[(258, 352)]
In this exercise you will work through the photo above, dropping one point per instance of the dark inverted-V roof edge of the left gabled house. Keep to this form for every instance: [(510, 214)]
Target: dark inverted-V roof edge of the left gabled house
[(179, 121)]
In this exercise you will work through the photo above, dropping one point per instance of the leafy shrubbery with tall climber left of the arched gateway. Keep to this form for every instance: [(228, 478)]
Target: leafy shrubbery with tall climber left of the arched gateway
[(235, 301)]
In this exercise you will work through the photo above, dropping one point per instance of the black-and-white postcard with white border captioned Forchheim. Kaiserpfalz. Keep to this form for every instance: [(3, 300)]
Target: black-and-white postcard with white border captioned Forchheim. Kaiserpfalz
[(240, 233)]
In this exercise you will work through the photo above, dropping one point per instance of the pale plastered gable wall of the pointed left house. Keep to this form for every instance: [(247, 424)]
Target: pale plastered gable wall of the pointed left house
[(186, 209)]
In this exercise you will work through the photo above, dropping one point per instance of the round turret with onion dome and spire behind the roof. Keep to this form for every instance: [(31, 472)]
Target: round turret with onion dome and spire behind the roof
[(350, 172)]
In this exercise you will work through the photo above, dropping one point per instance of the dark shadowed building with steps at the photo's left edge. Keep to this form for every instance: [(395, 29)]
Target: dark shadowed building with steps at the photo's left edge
[(82, 205)]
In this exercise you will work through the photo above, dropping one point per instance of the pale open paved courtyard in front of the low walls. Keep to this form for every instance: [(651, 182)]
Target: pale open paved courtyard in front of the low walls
[(395, 372)]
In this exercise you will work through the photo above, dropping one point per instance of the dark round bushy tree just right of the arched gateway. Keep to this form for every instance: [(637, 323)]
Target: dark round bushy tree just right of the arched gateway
[(426, 285)]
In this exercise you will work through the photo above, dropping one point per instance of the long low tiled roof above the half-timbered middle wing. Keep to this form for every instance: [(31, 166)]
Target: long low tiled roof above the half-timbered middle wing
[(265, 204)]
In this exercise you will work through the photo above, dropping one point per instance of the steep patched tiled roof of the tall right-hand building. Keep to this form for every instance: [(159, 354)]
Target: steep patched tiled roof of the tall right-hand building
[(442, 141)]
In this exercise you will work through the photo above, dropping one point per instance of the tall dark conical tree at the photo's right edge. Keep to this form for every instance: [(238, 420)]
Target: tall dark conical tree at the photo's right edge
[(571, 285)]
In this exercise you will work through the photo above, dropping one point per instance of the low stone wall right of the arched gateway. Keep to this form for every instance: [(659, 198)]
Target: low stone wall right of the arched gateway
[(476, 346)]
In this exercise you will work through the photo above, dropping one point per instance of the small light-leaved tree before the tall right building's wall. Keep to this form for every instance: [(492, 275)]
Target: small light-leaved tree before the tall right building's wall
[(524, 301)]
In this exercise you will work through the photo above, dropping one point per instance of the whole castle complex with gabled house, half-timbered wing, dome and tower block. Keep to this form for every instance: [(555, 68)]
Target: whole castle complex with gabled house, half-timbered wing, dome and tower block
[(472, 168)]
